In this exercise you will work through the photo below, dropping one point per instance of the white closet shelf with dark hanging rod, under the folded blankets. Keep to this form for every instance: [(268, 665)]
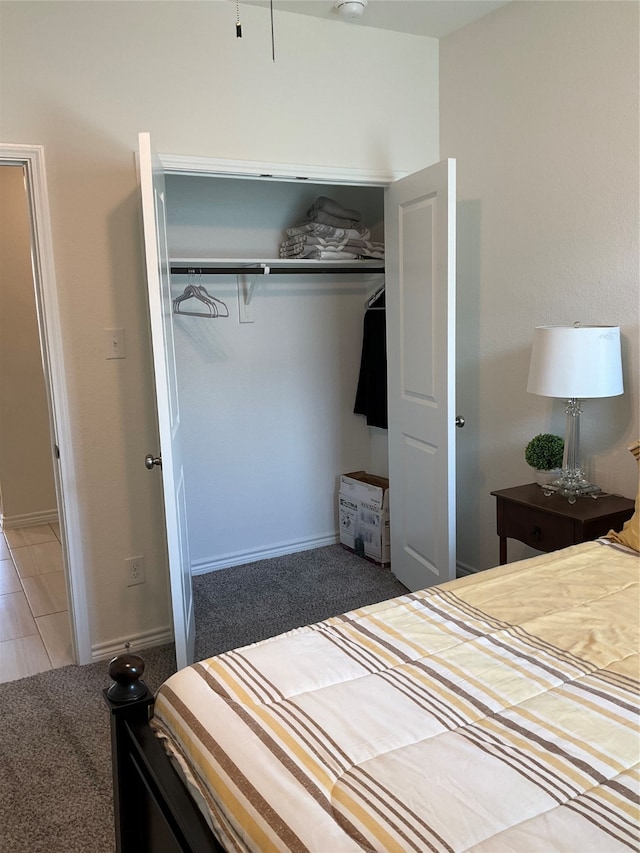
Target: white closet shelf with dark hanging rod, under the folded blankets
[(275, 266)]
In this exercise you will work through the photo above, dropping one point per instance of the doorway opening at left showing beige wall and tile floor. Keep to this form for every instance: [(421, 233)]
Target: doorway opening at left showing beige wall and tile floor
[(35, 633)]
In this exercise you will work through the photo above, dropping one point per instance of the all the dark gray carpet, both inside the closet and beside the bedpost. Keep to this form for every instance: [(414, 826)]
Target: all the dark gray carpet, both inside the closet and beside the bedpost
[(55, 762)]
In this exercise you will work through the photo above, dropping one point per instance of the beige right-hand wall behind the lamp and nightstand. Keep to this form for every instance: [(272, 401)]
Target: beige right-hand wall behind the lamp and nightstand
[(539, 103)]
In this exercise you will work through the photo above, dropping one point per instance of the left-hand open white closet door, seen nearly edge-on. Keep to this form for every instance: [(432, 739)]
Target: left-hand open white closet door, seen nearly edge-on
[(169, 422)]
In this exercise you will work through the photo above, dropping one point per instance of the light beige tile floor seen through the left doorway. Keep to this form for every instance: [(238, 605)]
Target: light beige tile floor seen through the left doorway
[(34, 618)]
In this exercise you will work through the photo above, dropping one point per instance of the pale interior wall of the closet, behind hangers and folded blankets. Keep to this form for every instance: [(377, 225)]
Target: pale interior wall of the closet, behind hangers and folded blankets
[(267, 406)]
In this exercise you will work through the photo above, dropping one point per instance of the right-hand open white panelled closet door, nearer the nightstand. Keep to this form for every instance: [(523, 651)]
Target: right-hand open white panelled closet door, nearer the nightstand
[(420, 299)]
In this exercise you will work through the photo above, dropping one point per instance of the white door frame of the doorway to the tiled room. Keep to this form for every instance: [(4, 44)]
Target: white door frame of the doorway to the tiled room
[(31, 157)]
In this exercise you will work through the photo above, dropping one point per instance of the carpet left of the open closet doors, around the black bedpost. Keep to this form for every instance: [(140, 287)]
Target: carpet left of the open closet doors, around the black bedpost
[(55, 759)]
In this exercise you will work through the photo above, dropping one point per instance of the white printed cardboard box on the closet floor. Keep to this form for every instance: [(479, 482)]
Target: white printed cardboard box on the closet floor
[(363, 509)]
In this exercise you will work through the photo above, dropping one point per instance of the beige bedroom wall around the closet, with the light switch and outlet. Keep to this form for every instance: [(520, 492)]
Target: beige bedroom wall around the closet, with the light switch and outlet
[(83, 79)]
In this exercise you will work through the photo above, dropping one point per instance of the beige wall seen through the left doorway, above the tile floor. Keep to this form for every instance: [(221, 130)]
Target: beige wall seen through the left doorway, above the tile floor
[(26, 470)]
